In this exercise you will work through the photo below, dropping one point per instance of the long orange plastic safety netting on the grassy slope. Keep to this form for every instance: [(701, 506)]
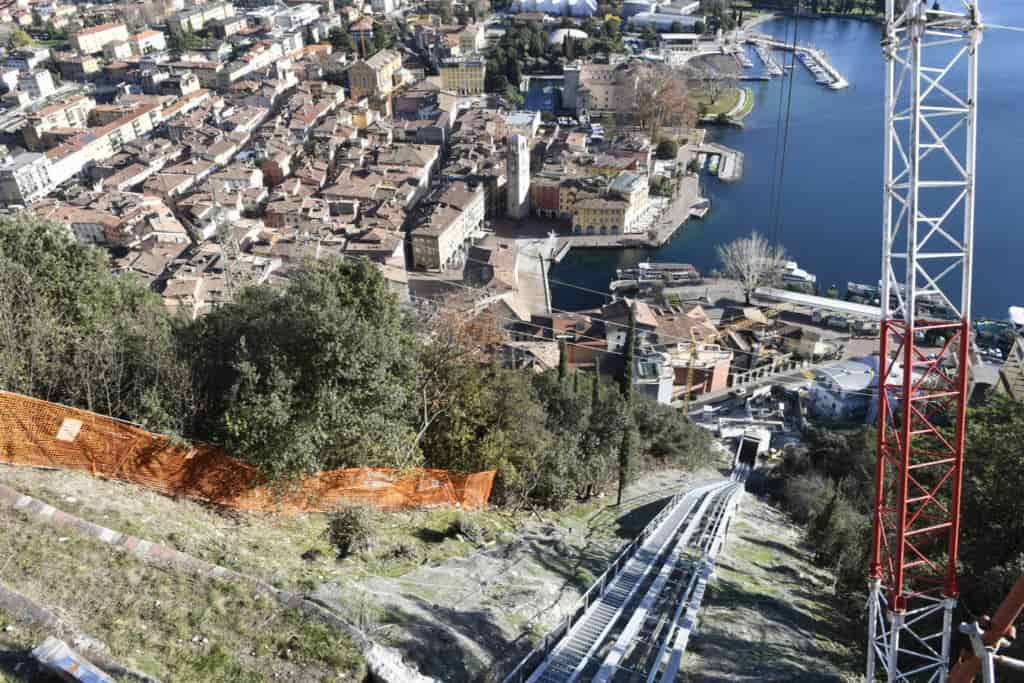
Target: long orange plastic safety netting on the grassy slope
[(42, 435)]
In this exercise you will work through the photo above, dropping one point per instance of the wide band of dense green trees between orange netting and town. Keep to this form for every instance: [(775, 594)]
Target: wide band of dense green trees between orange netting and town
[(326, 372)]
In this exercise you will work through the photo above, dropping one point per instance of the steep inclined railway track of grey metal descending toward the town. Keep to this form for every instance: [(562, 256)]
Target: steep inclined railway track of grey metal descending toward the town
[(635, 624)]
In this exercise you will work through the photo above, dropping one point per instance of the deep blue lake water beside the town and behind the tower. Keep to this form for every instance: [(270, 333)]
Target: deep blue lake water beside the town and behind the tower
[(832, 194)]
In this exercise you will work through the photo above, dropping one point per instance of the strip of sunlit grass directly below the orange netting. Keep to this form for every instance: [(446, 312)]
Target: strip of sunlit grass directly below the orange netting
[(291, 553)]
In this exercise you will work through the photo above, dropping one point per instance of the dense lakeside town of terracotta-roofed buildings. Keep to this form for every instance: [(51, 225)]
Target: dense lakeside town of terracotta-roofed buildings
[(211, 146)]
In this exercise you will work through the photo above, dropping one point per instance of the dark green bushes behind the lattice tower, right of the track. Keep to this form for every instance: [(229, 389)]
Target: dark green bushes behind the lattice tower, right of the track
[(829, 487)]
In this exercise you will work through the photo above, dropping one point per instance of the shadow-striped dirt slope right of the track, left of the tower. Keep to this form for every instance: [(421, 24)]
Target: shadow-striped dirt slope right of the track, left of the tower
[(767, 615)]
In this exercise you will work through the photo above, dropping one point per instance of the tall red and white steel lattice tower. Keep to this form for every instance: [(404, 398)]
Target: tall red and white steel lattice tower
[(931, 130)]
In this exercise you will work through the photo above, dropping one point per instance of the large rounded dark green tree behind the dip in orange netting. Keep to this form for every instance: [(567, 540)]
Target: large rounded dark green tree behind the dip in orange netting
[(313, 377)]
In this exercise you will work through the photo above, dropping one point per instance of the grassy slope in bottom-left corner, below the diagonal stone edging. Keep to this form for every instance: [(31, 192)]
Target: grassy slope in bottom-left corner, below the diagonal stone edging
[(172, 626)]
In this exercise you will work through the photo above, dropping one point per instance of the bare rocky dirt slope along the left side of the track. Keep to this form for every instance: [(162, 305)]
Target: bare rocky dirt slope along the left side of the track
[(463, 619)]
